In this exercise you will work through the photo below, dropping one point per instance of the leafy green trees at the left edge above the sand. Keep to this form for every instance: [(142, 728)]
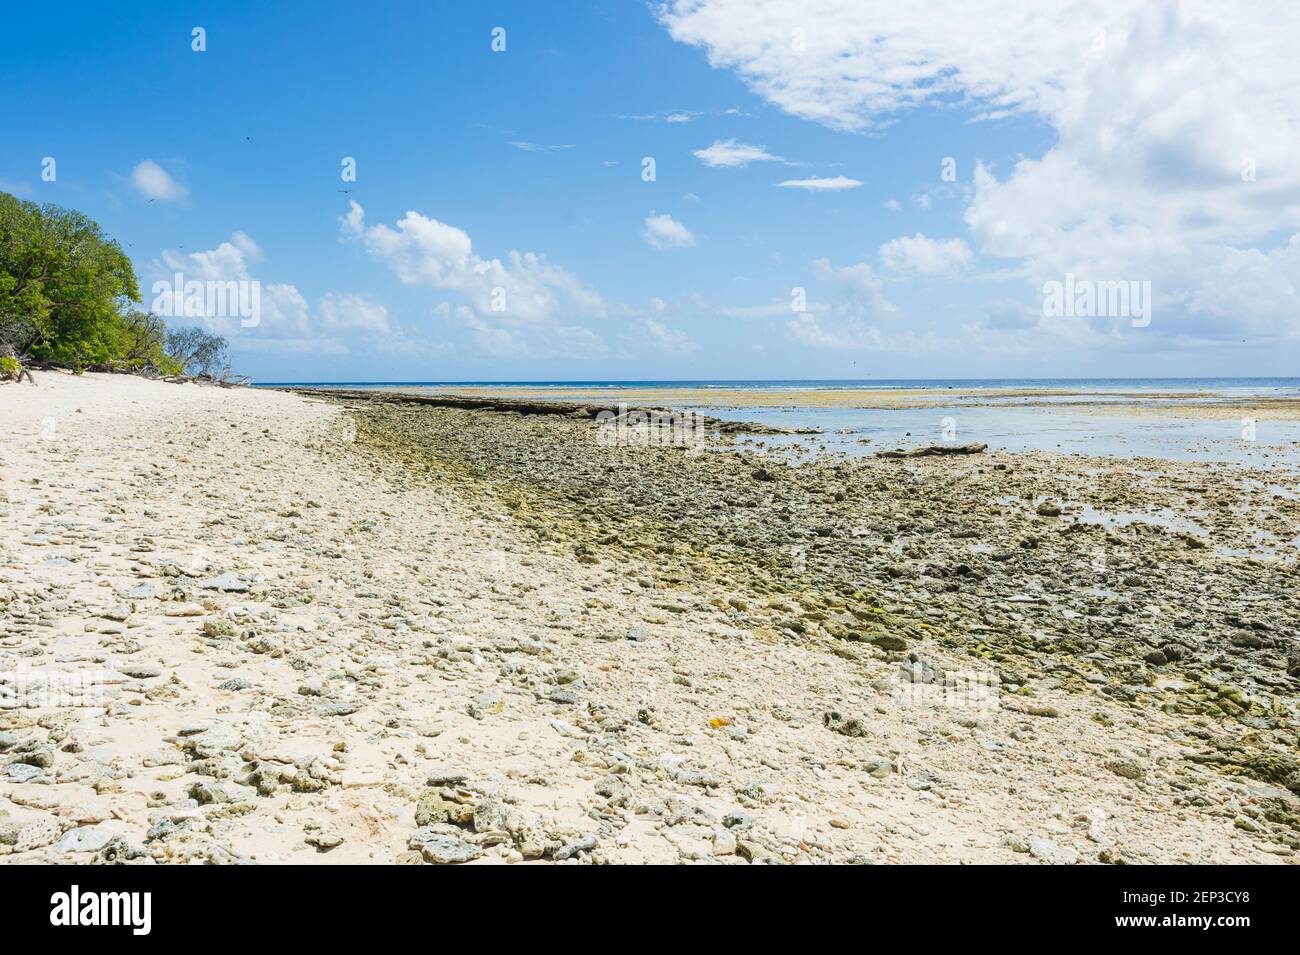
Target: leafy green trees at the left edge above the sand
[(67, 294)]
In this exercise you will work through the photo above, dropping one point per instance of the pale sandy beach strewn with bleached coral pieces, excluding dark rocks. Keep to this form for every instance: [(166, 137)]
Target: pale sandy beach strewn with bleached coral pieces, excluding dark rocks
[(306, 648)]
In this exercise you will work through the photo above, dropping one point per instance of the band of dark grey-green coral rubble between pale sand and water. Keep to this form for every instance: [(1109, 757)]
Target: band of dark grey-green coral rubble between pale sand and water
[(1067, 574)]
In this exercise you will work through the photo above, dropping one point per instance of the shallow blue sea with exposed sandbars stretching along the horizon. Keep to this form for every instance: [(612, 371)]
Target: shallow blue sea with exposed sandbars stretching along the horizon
[(1177, 419)]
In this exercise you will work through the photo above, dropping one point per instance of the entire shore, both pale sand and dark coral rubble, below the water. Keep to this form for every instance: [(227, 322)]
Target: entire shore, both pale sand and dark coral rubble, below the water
[(319, 630)]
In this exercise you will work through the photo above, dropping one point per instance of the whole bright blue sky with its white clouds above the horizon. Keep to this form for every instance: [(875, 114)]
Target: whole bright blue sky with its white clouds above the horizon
[(522, 171)]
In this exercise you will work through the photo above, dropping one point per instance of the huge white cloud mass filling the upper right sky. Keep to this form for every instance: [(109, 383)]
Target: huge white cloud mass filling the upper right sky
[(1173, 149)]
